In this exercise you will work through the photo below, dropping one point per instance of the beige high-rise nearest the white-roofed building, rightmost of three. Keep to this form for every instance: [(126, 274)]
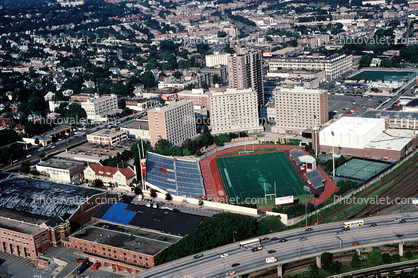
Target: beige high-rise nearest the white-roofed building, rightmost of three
[(299, 108)]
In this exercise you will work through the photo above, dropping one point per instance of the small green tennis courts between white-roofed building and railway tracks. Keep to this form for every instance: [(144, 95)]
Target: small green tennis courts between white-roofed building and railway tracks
[(360, 169)]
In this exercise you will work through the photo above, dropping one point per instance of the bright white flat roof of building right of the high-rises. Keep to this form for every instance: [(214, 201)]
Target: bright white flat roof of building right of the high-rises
[(353, 125)]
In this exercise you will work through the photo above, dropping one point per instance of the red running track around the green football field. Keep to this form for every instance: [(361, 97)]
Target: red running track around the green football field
[(213, 182)]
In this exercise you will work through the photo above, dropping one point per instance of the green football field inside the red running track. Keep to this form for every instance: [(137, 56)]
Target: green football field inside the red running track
[(254, 175)]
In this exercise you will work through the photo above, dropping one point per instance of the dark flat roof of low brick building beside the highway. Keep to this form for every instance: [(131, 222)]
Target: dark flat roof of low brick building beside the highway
[(127, 238)]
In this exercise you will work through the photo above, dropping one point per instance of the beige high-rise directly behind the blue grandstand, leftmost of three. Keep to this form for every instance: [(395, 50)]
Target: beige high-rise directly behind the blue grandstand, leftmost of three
[(174, 122)]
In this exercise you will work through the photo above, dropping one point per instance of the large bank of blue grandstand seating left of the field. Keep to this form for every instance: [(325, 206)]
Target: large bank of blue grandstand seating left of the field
[(177, 176)]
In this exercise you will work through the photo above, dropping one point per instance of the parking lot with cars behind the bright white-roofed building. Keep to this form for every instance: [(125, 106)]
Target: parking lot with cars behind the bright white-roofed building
[(355, 105)]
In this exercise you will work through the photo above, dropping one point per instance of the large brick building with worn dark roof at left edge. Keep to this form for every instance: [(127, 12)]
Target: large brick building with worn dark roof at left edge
[(44, 215)]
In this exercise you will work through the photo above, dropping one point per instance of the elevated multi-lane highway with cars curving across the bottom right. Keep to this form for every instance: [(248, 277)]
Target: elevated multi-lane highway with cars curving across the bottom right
[(321, 239)]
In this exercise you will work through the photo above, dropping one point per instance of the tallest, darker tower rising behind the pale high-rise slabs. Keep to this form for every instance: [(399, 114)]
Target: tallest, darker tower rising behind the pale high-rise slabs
[(245, 71)]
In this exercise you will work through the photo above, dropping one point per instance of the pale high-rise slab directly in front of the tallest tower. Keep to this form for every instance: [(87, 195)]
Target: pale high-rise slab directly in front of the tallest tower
[(234, 110)]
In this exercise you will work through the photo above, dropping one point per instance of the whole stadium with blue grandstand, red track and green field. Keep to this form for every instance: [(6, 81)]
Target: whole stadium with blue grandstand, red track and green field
[(265, 171)]
